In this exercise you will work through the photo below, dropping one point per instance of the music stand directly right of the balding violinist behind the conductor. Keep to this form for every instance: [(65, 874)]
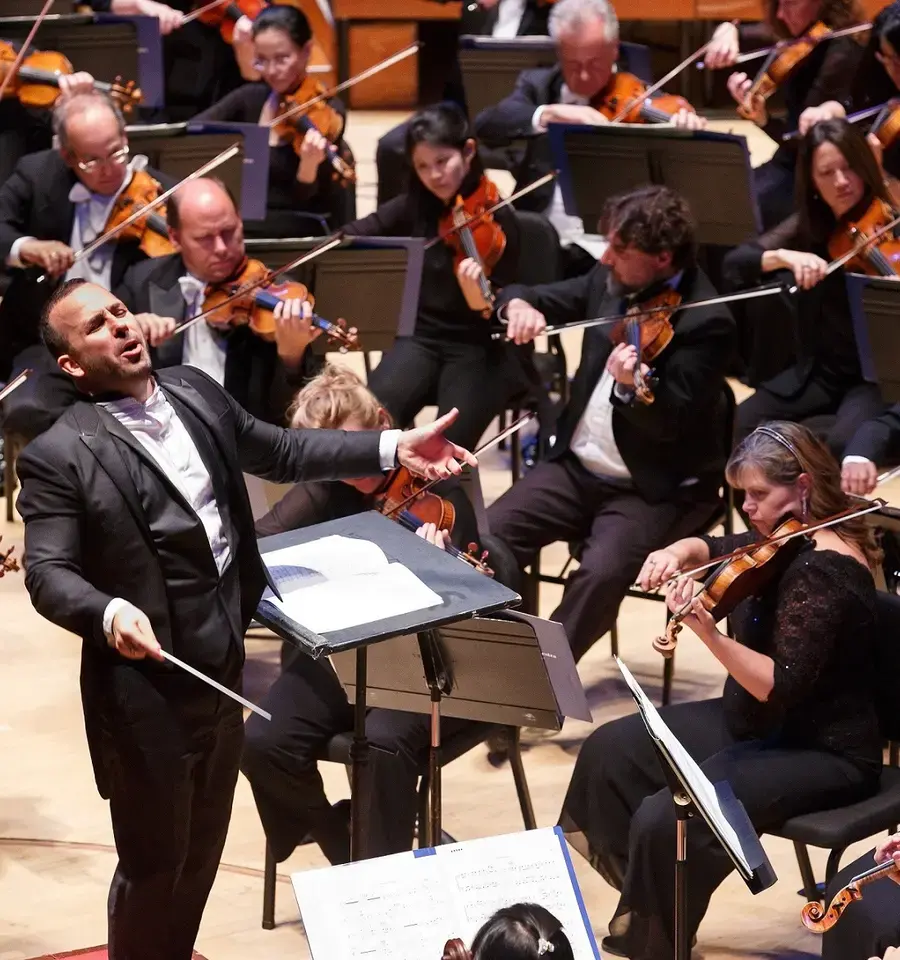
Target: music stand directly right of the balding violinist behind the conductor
[(383, 300)]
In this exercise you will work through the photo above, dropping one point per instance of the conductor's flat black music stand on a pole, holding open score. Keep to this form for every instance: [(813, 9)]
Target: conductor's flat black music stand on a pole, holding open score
[(464, 594)]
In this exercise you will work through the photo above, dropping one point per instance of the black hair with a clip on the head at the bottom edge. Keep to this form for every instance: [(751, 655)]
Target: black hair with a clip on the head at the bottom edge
[(520, 932)]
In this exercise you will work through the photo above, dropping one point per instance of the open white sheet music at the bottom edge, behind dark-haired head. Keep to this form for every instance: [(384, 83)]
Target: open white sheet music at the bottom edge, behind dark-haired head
[(408, 905)]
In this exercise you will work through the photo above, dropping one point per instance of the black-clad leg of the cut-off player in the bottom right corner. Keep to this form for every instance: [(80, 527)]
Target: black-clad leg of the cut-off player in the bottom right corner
[(868, 926)]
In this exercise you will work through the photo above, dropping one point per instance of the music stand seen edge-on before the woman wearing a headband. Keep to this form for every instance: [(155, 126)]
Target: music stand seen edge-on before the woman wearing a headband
[(694, 795)]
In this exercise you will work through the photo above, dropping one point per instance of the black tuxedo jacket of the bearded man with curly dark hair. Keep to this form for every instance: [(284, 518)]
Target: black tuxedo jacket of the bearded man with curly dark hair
[(682, 434)]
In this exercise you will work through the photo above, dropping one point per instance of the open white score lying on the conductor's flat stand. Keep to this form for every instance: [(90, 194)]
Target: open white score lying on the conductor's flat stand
[(339, 582)]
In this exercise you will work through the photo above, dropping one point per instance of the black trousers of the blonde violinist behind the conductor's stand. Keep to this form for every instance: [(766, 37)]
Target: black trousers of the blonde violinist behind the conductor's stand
[(308, 707)]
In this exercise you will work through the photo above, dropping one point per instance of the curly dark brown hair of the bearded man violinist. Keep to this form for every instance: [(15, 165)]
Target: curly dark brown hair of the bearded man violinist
[(655, 220)]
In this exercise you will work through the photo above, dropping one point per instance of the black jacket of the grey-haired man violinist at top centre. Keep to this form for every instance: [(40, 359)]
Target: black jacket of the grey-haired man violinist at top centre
[(510, 120)]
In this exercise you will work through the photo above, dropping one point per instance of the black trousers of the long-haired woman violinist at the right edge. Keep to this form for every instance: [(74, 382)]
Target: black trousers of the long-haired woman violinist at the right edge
[(831, 411)]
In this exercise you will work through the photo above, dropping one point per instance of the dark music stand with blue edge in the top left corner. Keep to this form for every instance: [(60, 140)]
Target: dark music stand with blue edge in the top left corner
[(106, 45)]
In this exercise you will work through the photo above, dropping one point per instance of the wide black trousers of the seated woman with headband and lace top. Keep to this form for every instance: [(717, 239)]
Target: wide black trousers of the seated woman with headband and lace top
[(620, 813)]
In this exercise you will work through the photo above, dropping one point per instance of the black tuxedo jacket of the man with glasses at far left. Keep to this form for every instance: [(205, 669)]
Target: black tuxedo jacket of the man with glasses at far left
[(34, 202)]
